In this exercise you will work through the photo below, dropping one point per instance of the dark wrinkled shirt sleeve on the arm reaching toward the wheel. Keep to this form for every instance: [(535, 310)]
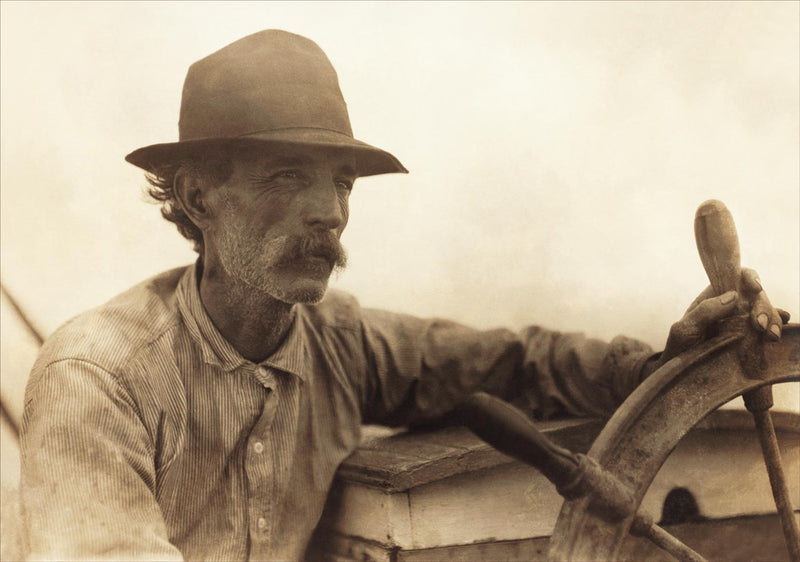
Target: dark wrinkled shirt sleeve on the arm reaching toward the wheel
[(418, 370)]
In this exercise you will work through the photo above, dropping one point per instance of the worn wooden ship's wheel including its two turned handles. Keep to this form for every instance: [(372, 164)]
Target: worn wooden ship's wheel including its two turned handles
[(604, 489)]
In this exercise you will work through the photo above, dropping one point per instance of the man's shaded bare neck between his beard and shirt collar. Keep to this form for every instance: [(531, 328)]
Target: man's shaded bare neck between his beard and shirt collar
[(253, 322)]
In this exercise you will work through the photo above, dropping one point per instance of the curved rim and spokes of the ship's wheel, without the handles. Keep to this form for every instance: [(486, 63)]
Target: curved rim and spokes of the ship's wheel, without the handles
[(644, 430)]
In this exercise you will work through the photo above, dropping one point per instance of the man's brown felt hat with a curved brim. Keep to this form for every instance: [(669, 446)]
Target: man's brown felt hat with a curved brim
[(269, 87)]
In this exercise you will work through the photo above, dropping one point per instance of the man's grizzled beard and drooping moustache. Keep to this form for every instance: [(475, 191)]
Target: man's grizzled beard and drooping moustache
[(290, 268)]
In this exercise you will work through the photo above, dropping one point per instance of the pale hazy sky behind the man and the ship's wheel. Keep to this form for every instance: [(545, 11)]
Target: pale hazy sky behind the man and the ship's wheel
[(557, 152)]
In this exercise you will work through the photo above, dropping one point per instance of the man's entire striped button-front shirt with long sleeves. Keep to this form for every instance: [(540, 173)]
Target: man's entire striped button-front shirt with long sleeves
[(146, 435)]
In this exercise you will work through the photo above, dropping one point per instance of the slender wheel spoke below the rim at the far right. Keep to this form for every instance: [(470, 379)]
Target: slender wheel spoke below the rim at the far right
[(759, 402)]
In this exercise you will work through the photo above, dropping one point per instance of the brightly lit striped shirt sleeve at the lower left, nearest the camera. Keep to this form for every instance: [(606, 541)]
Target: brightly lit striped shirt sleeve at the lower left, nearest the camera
[(88, 474)]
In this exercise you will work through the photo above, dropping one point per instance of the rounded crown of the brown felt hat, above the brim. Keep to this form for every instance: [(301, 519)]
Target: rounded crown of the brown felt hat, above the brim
[(268, 81)]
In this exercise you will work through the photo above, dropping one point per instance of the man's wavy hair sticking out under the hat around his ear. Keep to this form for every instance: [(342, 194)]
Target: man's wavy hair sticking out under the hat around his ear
[(216, 169)]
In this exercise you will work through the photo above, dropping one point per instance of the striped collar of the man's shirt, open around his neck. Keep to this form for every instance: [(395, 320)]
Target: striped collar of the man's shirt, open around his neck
[(292, 355)]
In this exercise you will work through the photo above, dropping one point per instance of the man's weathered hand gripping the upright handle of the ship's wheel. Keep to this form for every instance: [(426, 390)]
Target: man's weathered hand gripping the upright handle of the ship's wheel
[(708, 309)]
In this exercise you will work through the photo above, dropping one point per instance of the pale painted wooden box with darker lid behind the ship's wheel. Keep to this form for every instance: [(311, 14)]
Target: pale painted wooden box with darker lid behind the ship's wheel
[(444, 490)]
